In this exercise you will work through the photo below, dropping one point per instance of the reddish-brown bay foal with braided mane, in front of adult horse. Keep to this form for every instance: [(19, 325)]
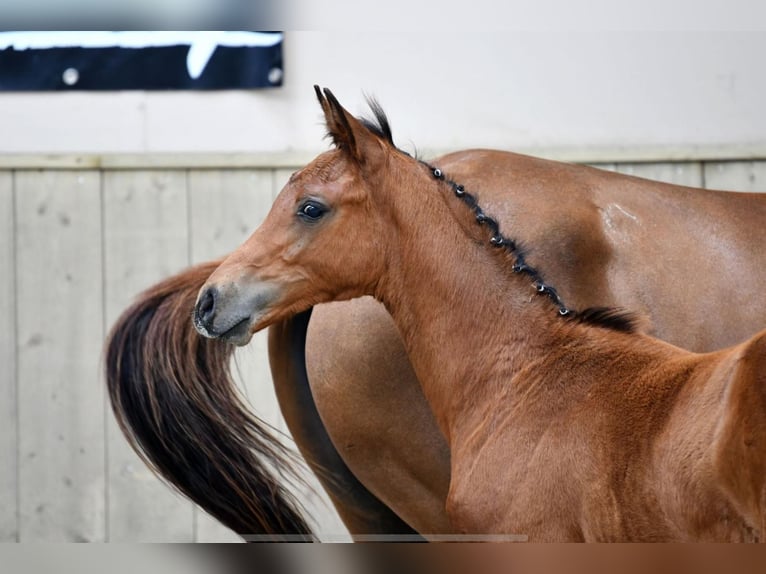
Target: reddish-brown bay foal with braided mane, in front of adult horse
[(561, 425)]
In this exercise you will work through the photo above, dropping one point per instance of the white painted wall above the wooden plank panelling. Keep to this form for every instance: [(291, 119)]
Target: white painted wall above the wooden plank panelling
[(443, 89)]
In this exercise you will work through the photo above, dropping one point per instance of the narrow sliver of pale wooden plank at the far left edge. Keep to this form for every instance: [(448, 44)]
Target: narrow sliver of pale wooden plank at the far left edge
[(8, 445)]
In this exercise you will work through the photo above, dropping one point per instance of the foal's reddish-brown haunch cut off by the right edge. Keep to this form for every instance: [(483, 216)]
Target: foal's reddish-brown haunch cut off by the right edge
[(740, 445)]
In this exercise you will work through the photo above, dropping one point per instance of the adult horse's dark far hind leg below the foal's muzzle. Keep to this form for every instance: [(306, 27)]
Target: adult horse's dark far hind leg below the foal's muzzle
[(360, 510)]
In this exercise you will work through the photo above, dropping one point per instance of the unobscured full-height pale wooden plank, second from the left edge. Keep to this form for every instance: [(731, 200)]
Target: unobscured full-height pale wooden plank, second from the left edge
[(59, 338)]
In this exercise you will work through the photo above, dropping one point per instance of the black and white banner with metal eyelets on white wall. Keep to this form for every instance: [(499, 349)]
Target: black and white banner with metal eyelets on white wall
[(151, 60)]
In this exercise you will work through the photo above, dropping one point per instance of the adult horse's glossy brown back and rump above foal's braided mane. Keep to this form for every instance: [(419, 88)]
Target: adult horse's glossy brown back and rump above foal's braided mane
[(665, 251)]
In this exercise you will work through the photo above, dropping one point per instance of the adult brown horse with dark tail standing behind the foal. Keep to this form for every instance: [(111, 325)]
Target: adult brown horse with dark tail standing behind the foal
[(602, 238)]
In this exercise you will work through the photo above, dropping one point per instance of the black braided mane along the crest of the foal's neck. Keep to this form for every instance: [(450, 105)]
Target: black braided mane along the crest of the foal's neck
[(610, 318)]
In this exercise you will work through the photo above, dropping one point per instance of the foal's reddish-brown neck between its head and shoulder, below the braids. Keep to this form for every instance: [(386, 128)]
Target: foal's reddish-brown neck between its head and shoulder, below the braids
[(469, 323)]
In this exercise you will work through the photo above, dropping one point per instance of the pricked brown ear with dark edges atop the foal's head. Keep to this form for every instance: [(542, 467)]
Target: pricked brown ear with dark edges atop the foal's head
[(348, 133)]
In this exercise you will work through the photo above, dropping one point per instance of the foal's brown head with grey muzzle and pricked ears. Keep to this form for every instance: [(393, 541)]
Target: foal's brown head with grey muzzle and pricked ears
[(322, 239)]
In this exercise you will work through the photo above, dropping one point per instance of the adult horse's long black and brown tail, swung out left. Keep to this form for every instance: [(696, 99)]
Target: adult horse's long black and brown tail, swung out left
[(176, 402)]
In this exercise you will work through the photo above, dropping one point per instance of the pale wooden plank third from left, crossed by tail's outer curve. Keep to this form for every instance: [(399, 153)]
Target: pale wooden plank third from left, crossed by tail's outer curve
[(145, 240)]
